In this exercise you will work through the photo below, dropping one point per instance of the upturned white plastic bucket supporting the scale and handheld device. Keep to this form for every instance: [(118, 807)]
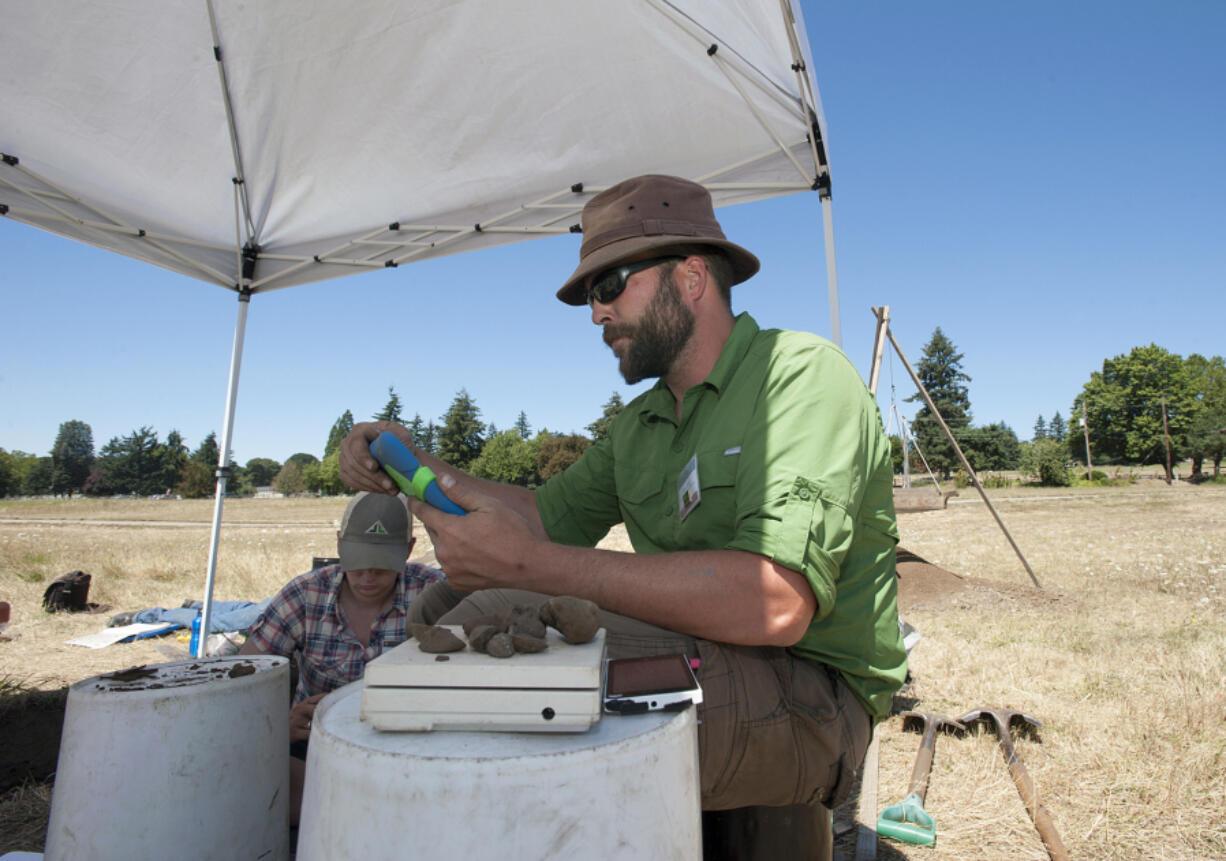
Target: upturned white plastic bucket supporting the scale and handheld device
[(626, 789)]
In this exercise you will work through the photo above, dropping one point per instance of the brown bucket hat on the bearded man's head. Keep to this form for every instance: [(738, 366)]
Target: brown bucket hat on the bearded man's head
[(644, 218)]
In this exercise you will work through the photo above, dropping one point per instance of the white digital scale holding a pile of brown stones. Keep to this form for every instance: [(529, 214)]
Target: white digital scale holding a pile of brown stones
[(558, 690)]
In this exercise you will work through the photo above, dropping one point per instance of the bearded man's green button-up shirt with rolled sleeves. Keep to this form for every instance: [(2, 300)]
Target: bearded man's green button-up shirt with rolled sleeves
[(793, 464)]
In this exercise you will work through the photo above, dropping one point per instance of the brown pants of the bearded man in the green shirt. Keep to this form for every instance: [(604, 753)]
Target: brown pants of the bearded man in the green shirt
[(773, 729)]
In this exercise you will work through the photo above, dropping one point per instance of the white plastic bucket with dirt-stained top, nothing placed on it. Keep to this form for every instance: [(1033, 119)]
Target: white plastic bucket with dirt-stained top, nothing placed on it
[(185, 760)]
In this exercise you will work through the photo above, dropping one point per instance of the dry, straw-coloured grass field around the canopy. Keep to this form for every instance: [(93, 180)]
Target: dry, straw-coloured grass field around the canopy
[(1120, 654)]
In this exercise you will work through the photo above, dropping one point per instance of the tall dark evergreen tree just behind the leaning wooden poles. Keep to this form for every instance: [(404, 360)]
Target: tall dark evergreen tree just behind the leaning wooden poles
[(941, 371)]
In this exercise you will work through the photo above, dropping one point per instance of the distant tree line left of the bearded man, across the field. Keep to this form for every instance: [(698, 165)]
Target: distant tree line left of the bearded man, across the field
[(142, 464)]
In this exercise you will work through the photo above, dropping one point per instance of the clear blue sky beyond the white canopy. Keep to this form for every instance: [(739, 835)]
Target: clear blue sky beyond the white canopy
[(1041, 181)]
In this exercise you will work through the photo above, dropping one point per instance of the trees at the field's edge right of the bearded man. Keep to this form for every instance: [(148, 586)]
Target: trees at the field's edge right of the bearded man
[(1133, 411)]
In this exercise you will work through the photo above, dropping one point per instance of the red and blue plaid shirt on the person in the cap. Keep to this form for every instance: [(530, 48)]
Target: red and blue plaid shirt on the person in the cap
[(305, 622)]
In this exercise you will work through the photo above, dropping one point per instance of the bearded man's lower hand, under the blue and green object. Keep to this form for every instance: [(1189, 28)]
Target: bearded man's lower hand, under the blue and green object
[(487, 549)]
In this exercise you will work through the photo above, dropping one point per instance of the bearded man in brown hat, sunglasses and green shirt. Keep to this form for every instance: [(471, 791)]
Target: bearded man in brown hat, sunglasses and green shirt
[(755, 481)]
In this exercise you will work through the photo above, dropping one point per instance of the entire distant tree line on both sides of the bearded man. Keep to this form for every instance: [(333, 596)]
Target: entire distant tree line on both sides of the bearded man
[(1132, 411)]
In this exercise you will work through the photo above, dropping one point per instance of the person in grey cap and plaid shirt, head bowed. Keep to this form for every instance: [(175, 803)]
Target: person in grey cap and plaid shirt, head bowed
[(333, 620)]
